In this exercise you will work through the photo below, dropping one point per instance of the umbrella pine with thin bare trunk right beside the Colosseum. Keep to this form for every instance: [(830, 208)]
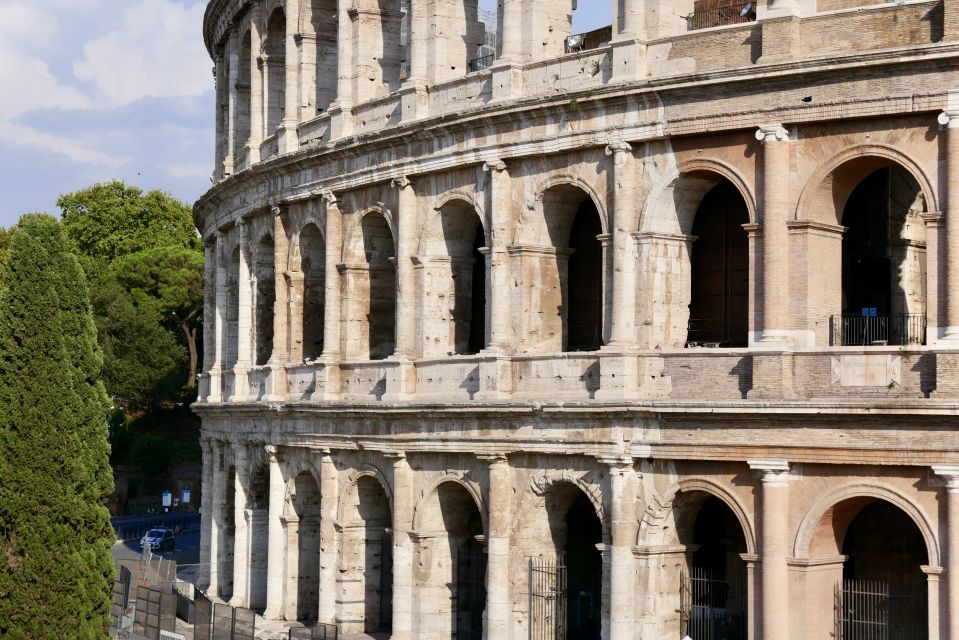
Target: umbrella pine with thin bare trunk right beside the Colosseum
[(168, 279)]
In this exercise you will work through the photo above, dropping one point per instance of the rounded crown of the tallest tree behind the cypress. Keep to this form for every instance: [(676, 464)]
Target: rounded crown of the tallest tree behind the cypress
[(108, 221)]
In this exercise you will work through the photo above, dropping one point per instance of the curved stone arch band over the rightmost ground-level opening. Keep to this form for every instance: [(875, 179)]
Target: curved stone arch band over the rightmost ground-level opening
[(813, 517)]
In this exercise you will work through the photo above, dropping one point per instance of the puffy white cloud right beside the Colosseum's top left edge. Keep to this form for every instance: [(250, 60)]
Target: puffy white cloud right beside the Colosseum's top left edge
[(156, 51)]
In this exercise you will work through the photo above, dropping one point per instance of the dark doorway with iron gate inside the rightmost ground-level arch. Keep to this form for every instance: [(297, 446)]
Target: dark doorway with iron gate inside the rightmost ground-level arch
[(884, 590)]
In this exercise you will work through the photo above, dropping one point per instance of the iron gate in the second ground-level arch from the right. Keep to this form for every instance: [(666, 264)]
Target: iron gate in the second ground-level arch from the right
[(712, 607)]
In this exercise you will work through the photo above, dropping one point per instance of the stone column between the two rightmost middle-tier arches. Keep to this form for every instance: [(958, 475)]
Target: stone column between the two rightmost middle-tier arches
[(775, 214)]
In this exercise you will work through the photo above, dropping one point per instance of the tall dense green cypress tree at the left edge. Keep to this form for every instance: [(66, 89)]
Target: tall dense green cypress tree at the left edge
[(55, 564)]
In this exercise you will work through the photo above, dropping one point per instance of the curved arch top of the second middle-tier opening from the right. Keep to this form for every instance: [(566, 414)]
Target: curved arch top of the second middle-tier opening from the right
[(693, 179)]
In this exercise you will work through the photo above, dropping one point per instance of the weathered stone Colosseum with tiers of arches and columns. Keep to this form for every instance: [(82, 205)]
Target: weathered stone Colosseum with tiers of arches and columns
[(634, 334)]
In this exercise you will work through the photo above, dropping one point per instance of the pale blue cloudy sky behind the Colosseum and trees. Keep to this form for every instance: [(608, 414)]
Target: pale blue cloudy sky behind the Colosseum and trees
[(103, 89)]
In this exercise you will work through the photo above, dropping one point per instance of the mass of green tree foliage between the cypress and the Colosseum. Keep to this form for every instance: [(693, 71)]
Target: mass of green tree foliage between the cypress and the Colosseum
[(146, 262)]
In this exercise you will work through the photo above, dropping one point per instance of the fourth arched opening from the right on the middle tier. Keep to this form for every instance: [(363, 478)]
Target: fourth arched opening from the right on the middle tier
[(452, 275)]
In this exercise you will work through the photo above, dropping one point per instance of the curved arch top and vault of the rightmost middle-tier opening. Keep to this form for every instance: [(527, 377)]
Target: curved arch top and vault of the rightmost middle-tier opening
[(822, 193)]
